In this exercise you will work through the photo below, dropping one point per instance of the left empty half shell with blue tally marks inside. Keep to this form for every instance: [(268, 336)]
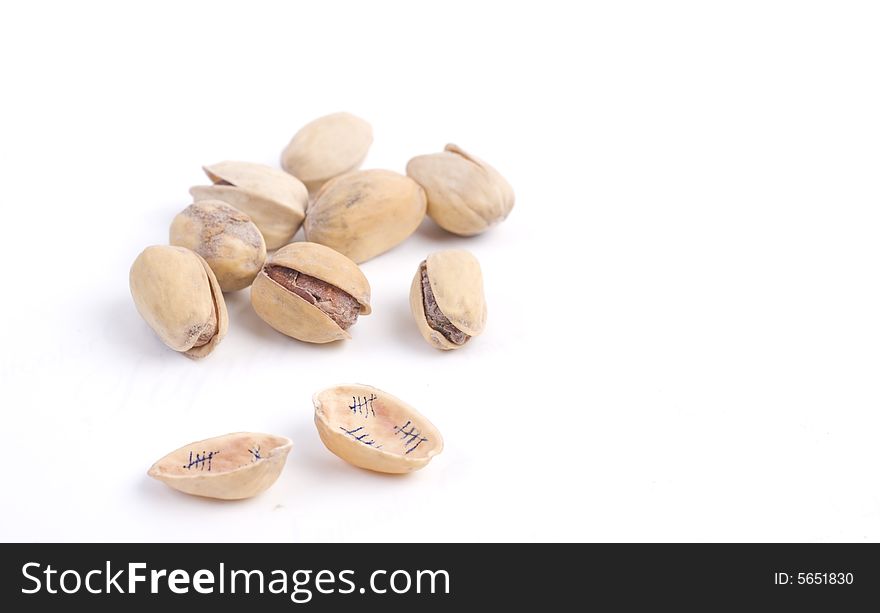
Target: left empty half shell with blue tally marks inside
[(229, 467)]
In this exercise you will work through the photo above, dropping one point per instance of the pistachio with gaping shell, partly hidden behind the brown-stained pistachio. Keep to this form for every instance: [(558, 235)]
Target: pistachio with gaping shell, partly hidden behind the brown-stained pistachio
[(274, 200)]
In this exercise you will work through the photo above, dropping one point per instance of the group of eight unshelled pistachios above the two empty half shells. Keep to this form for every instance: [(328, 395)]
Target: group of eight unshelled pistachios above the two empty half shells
[(314, 290)]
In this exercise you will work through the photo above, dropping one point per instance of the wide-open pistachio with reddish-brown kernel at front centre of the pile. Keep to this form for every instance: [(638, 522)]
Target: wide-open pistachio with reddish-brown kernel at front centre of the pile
[(311, 293)]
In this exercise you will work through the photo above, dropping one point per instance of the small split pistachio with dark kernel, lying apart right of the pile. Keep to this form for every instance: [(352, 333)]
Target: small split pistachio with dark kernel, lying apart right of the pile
[(446, 298)]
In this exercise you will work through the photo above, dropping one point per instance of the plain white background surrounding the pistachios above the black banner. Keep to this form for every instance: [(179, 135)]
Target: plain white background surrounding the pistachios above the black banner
[(684, 308)]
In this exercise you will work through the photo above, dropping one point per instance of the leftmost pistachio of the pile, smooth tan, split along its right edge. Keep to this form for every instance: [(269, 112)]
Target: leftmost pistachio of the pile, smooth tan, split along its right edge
[(178, 296)]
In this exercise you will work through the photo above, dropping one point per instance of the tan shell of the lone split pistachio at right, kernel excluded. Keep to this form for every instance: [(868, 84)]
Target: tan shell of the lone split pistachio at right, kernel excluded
[(457, 283)]
